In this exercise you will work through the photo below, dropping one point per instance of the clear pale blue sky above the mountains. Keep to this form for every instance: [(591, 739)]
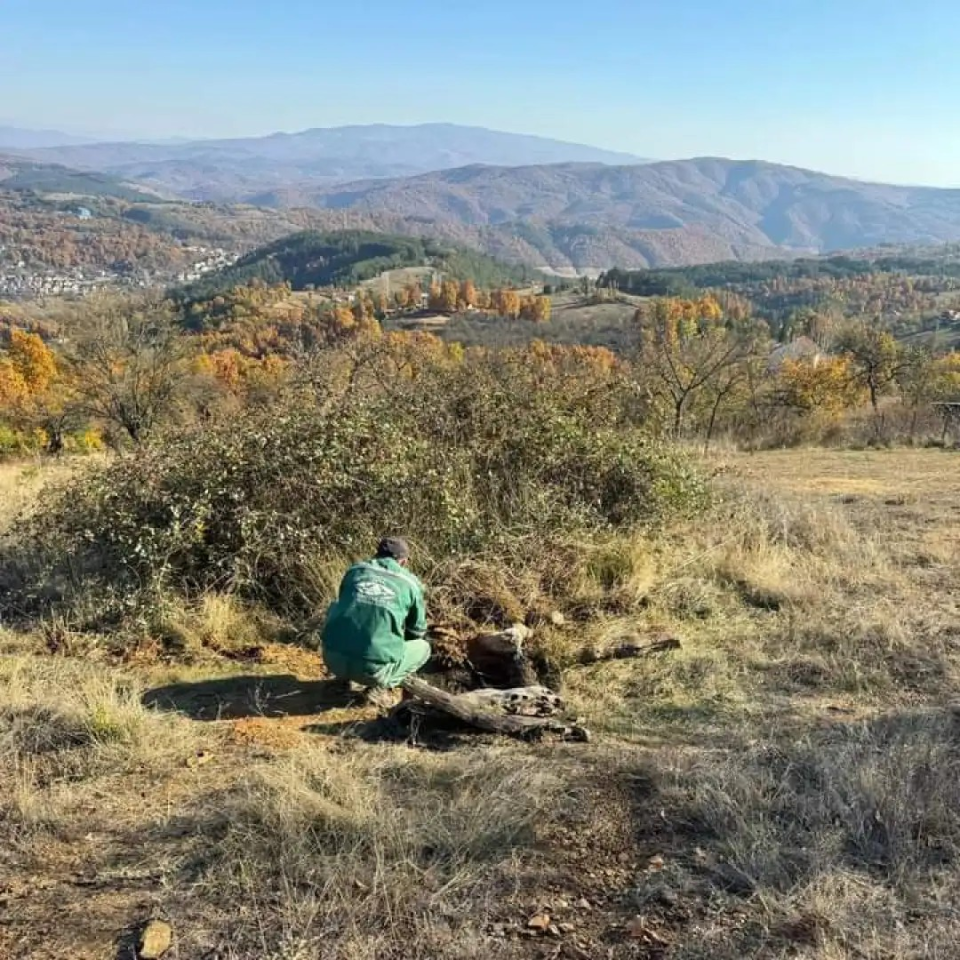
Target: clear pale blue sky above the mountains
[(865, 89)]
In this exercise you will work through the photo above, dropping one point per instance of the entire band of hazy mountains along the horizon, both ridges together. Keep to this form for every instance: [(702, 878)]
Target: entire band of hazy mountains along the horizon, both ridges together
[(570, 216)]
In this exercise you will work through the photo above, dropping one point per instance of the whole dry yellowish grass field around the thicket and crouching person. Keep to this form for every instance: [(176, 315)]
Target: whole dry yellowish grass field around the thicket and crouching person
[(785, 785)]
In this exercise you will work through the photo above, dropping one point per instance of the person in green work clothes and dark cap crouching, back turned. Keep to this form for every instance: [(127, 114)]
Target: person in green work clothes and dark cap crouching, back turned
[(375, 632)]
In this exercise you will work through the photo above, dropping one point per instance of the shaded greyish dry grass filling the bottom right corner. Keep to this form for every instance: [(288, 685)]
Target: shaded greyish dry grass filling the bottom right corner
[(845, 841)]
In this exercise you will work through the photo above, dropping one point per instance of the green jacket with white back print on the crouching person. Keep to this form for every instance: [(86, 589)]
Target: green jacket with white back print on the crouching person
[(379, 608)]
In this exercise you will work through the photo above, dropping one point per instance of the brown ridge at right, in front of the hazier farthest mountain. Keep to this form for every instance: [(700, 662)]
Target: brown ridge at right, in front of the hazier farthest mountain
[(592, 216)]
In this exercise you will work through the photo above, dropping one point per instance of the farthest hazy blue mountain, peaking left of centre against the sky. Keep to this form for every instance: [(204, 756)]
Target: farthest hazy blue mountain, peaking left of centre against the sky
[(250, 169)]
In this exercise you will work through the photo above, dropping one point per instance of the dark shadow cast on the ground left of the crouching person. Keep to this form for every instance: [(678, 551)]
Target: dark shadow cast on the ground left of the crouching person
[(233, 698)]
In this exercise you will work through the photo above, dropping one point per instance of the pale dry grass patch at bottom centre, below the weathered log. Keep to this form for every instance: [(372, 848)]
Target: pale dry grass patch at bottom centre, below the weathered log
[(374, 854)]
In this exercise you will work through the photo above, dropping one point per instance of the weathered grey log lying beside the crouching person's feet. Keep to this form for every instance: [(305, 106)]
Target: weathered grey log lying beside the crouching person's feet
[(474, 709)]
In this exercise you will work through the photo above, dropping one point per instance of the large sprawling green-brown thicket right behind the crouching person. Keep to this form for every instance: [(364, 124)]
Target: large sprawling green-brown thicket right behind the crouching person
[(491, 463)]
